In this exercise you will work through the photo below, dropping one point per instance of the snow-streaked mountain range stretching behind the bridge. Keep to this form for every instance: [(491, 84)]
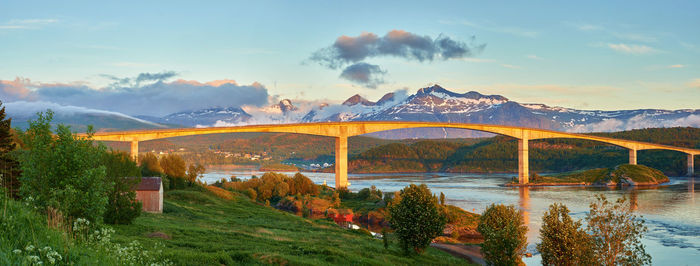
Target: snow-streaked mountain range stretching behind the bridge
[(433, 104)]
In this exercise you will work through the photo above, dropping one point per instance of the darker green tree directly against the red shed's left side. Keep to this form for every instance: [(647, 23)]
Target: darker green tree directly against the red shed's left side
[(124, 175)]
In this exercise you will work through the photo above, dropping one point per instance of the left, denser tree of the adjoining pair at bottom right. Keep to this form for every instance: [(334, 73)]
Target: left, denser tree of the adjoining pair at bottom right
[(564, 242)]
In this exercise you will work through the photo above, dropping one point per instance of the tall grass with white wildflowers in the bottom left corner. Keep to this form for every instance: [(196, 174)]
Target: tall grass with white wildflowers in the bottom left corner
[(28, 237)]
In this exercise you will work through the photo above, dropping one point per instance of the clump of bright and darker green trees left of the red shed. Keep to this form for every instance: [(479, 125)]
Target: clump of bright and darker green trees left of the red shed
[(72, 175)]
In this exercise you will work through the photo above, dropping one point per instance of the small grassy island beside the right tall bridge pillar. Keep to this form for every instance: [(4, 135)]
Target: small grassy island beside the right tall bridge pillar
[(620, 176)]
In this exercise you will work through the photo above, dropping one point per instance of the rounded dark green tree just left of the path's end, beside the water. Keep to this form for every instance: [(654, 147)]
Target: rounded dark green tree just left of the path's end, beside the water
[(416, 217)]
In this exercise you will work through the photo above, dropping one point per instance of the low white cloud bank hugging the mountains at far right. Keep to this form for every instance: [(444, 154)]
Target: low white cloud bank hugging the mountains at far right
[(637, 122)]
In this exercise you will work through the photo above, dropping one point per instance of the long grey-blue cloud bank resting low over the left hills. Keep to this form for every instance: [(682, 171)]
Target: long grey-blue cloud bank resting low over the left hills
[(145, 94)]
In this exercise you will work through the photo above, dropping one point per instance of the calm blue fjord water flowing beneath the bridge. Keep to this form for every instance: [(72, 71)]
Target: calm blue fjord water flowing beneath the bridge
[(670, 212)]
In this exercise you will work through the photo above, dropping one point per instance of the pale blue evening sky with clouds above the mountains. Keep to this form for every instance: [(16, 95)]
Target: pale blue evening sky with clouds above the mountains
[(158, 57)]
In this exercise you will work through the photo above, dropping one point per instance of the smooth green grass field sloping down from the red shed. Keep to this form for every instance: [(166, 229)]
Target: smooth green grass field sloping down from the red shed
[(206, 230)]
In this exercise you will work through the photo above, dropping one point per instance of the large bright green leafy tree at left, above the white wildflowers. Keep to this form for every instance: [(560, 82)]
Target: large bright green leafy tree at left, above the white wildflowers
[(62, 171)]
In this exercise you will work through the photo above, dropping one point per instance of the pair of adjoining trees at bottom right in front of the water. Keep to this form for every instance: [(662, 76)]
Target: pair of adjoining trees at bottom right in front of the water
[(612, 236)]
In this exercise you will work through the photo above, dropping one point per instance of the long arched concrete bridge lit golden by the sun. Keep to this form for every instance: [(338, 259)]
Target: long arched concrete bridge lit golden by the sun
[(342, 130)]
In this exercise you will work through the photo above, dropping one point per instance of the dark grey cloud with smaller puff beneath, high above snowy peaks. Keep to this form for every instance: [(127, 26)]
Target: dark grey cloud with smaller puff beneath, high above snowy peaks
[(349, 52)]
